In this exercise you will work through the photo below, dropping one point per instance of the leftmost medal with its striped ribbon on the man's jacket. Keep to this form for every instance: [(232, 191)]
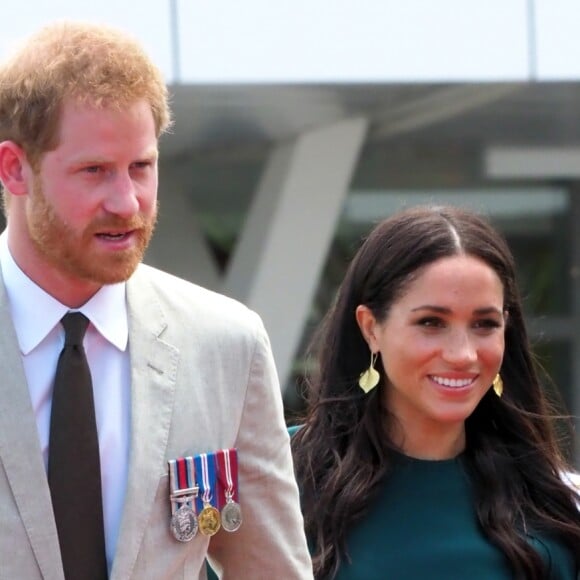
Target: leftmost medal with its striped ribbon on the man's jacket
[(183, 492)]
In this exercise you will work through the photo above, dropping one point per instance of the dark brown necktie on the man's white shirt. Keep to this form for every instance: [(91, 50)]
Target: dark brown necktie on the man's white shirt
[(74, 472)]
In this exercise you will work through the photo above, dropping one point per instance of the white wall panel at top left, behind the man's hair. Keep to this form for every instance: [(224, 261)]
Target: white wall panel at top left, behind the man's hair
[(149, 21)]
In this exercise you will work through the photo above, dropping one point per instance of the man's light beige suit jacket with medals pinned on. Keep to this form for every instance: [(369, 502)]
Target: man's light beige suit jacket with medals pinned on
[(203, 379)]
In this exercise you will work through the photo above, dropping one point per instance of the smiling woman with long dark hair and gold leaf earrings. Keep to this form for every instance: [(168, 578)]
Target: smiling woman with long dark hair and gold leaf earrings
[(428, 451)]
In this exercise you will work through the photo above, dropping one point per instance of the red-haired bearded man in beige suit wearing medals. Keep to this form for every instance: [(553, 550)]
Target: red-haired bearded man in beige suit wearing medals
[(178, 372)]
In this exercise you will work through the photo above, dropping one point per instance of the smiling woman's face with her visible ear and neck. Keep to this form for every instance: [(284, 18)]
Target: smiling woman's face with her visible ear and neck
[(441, 346)]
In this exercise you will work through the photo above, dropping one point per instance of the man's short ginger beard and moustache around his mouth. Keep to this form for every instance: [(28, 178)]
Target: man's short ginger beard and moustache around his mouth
[(77, 254)]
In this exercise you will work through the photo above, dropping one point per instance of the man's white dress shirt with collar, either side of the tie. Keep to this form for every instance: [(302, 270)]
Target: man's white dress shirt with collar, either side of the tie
[(36, 316)]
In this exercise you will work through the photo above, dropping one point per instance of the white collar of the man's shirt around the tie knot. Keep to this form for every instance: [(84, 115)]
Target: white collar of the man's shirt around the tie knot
[(107, 309)]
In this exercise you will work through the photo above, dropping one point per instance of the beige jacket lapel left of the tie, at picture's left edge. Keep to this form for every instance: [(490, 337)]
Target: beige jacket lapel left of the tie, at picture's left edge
[(20, 452)]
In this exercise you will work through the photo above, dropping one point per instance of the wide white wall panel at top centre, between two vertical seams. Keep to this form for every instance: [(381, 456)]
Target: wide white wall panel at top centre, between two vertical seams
[(353, 40)]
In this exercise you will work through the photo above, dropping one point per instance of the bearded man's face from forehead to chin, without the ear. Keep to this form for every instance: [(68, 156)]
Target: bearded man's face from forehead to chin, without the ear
[(92, 207)]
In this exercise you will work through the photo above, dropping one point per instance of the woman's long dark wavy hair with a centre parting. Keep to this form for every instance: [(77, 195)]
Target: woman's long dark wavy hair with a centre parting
[(342, 454)]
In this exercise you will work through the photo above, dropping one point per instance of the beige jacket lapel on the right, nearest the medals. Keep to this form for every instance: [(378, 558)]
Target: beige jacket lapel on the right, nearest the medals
[(153, 375)]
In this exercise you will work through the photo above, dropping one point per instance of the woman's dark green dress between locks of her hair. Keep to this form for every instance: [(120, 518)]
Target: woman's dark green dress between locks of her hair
[(423, 526)]
